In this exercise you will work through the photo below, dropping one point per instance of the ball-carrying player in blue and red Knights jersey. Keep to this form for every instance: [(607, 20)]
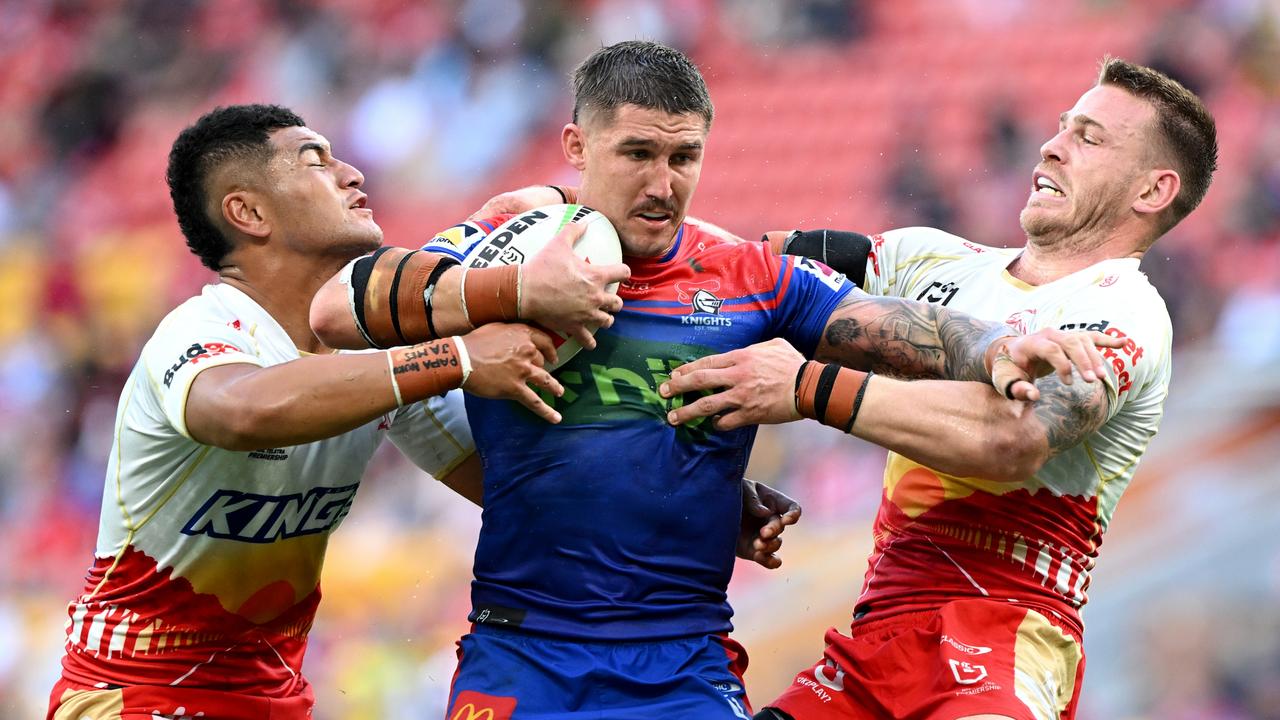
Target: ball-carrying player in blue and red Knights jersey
[(607, 544)]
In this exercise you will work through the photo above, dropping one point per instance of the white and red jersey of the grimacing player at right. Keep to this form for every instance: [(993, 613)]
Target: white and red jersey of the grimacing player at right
[(1035, 541)]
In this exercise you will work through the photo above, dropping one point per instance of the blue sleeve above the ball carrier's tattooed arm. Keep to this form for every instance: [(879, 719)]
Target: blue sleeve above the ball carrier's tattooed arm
[(808, 294)]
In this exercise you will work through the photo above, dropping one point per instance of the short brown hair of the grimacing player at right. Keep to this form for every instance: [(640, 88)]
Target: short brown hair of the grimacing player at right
[(1187, 133)]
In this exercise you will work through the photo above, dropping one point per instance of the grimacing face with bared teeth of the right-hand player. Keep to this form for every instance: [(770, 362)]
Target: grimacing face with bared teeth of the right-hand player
[(1092, 171)]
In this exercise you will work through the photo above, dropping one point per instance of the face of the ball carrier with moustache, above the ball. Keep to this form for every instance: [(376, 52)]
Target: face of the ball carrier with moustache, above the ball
[(641, 171)]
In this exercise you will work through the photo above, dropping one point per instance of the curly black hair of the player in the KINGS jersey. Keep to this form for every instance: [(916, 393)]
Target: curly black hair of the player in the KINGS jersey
[(235, 133)]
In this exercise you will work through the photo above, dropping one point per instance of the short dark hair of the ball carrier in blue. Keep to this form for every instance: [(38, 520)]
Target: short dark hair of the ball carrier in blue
[(642, 74)]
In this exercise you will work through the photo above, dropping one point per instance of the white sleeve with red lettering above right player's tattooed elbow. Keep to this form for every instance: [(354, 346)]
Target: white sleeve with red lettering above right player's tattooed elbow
[(1140, 320)]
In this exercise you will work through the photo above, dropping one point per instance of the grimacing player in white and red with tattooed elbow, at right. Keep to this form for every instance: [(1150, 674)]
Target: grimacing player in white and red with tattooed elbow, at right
[(979, 576)]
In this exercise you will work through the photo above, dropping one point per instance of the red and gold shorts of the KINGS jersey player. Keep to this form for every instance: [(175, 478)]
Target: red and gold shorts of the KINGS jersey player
[(74, 701)]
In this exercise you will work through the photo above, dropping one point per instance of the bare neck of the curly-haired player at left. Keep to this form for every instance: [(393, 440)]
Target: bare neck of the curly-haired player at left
[(286, 294)]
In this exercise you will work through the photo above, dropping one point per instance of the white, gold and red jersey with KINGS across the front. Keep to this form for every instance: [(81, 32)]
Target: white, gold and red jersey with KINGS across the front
[(208, 563)]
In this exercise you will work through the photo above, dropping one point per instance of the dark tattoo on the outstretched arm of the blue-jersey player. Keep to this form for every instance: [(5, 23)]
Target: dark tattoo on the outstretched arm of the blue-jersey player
[(908, 340)]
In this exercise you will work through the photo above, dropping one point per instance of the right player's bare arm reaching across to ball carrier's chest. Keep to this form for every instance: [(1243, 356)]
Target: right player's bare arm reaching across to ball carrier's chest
[(962, 429)]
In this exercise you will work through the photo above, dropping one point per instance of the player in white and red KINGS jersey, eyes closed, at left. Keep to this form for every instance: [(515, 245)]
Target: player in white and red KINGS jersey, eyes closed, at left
[(241, 440)]
